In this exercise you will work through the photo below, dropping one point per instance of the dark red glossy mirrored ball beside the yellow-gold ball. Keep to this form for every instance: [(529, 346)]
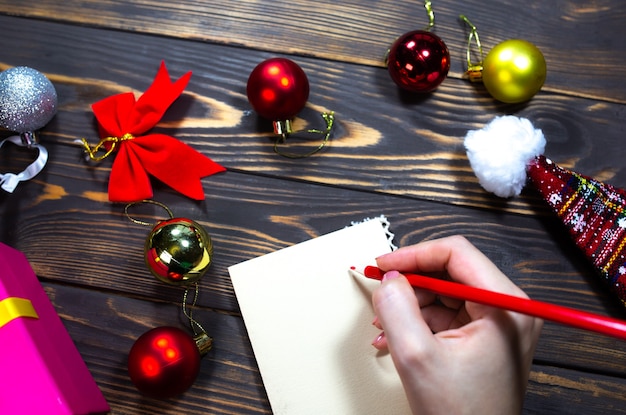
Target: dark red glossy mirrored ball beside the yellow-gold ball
[(418, 61)]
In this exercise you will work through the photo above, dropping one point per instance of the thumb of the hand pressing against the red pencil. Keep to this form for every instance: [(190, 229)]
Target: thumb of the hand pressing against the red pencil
[(399, 314)]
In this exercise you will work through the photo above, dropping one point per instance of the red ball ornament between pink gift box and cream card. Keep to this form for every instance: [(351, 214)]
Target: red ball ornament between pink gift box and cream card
[(164, 362)]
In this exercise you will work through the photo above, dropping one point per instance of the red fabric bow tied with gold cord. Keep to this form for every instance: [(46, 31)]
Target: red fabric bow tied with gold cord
[(122, 121)]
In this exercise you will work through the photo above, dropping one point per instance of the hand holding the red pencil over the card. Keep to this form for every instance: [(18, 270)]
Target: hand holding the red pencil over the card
[(453, 357)]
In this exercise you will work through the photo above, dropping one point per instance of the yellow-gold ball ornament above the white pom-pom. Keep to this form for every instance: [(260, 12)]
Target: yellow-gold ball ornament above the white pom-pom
[(514, 71)]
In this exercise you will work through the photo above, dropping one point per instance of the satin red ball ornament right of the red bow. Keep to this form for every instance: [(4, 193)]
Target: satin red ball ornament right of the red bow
[(277, 89)]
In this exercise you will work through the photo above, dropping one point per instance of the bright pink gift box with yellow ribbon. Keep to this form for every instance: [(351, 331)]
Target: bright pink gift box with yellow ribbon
[(41, 371)]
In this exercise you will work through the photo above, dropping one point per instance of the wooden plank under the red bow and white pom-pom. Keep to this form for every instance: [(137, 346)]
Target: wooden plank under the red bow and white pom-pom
[(384, 141)]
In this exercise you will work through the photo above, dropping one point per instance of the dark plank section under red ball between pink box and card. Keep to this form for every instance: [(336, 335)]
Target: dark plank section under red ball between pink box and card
[(104, 328)]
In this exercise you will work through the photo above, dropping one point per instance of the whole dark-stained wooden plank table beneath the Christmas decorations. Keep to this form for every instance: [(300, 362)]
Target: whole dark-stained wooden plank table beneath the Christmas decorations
[(392, 153)]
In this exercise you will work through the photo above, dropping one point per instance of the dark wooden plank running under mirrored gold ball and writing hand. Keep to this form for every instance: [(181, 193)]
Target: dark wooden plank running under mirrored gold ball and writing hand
[(71, 235)]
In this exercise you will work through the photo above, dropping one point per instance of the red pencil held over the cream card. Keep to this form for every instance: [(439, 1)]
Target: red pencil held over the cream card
[(564, 315)]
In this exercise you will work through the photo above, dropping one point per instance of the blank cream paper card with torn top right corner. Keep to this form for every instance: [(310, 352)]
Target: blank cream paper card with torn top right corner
[(309, 322)]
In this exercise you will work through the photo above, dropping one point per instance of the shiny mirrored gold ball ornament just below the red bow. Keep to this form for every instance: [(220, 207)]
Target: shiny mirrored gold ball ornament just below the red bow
[(178, 251)]
